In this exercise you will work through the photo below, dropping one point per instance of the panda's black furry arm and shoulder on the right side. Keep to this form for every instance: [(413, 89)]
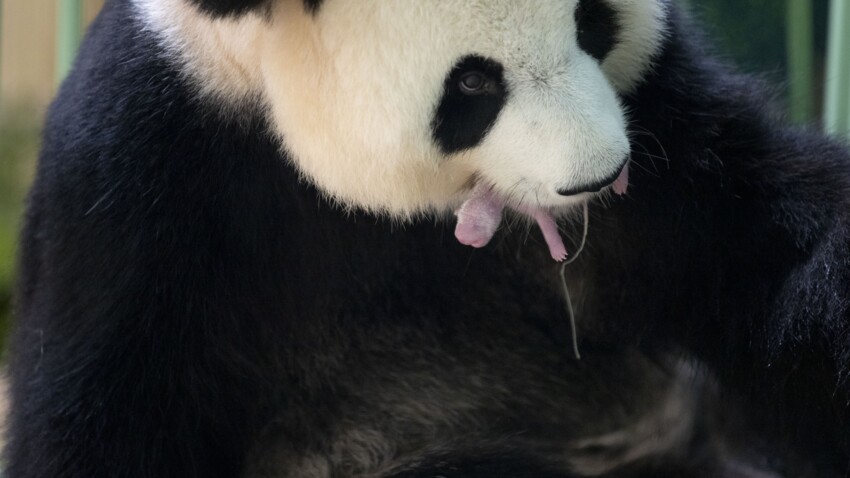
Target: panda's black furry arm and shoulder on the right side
[(732, 243)]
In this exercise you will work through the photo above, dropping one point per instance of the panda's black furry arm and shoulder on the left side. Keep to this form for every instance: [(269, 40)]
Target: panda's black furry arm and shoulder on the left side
[(137, 350)]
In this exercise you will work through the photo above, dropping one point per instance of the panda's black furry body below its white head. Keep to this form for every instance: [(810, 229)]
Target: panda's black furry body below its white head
[(187, 304)]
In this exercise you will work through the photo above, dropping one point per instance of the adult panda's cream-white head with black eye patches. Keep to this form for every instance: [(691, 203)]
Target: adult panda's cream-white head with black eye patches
[(403, 106)]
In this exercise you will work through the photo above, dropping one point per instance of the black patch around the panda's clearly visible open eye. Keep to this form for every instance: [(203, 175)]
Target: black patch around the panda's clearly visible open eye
[(474, 93)]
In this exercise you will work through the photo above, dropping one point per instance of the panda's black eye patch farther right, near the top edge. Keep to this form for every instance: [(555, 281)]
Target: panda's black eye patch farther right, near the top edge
[(598, 27)]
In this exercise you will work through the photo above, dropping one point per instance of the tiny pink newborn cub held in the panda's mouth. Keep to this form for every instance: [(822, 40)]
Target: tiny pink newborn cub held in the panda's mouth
[(480, 215)]
